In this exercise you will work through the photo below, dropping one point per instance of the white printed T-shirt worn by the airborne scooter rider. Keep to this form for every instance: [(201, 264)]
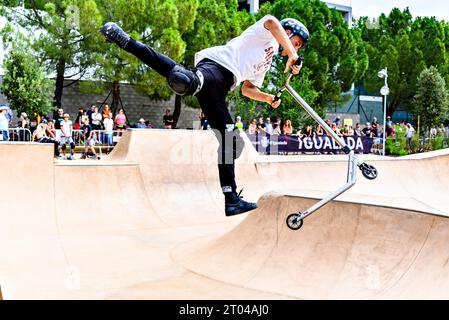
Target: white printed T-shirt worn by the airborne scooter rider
[(248, 56)]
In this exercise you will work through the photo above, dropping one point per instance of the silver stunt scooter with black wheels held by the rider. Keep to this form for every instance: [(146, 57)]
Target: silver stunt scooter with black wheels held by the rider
[(295, 221)]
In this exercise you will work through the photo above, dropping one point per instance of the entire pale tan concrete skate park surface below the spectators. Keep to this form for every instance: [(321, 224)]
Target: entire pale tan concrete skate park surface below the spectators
[(148, 222)]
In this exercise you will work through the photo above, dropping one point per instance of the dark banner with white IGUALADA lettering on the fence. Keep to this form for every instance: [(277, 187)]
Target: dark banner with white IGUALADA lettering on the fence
[(273, 144)]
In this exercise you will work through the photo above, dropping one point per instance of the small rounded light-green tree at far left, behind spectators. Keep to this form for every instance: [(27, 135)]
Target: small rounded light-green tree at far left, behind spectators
[(25, 84)]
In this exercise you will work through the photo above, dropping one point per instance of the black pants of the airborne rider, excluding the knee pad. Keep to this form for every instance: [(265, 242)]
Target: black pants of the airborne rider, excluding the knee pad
[(212, 99)]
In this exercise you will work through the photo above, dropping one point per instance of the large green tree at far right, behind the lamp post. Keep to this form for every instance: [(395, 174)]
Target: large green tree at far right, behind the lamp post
[(406, 47)]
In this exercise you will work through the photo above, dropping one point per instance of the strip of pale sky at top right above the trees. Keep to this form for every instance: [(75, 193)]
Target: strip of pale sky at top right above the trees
[(373, 8)]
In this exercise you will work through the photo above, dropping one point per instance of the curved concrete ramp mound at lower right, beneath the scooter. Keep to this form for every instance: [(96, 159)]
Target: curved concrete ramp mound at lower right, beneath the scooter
[(344, 251)]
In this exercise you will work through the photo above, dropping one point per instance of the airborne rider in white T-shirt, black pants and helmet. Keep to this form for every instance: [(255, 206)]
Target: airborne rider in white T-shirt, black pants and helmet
[(244, 59)]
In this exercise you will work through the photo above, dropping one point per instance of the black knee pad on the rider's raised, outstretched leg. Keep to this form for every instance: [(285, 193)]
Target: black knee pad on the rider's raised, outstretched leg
[(184, 82)]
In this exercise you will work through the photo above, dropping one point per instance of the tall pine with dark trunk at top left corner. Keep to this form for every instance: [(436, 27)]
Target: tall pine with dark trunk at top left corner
[(63, 34)]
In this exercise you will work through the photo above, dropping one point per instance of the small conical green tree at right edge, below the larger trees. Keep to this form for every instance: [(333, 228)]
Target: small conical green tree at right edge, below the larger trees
[(431, 99)]
